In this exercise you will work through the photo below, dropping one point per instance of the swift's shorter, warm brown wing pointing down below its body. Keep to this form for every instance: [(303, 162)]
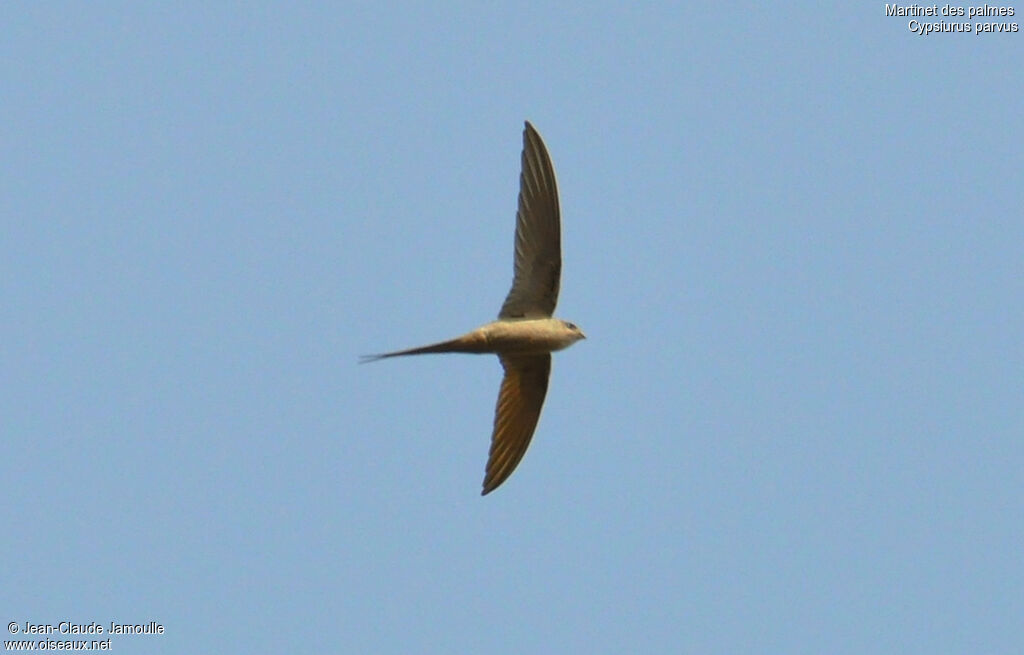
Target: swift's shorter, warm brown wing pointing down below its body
[(520, 404)]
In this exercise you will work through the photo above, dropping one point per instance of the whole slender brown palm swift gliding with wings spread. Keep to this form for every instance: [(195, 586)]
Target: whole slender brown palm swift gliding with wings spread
[(526, 334)]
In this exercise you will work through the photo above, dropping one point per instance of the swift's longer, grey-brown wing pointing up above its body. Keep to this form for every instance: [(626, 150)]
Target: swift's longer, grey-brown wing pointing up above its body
[(538, 236)]
